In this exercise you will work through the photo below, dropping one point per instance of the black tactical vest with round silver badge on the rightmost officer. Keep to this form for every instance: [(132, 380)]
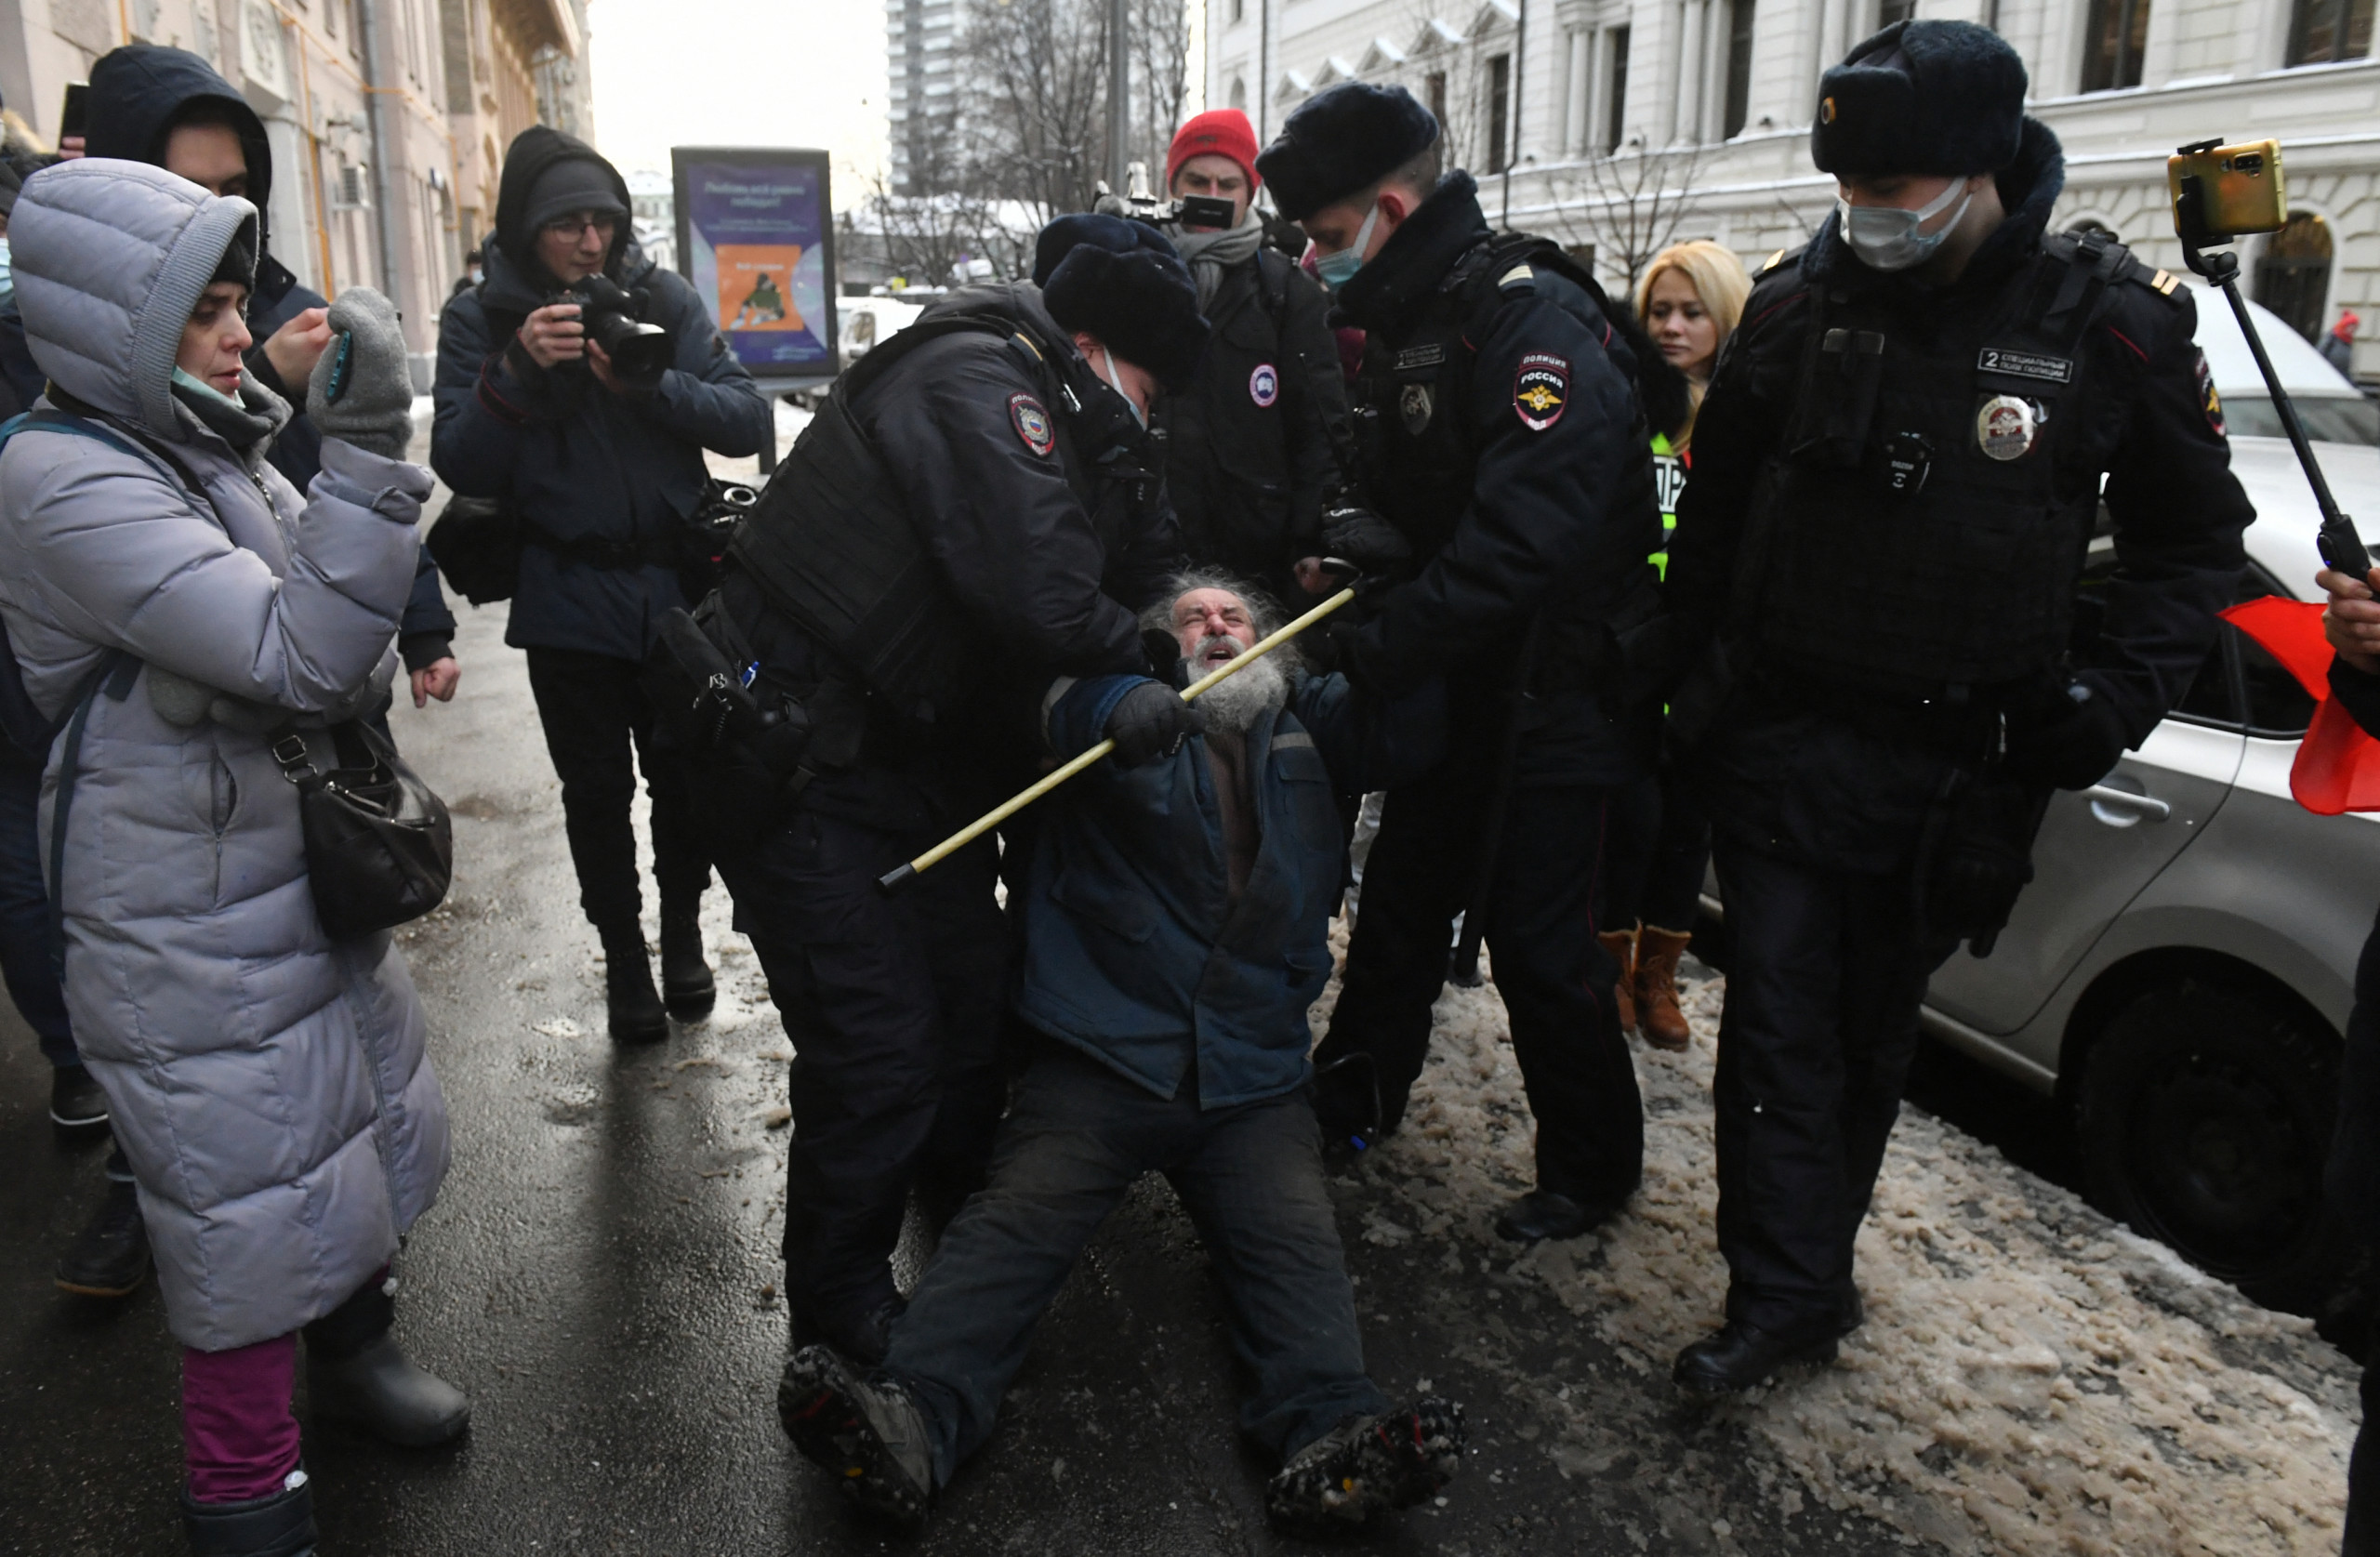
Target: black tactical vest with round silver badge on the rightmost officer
[(1924, 518)]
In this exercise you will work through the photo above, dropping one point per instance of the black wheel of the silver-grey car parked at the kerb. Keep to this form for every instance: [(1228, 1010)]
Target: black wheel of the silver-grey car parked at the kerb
[(2205, 1118)]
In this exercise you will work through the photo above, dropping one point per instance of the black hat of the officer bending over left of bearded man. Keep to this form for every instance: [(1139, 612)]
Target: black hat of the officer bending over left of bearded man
[(1125, 284)]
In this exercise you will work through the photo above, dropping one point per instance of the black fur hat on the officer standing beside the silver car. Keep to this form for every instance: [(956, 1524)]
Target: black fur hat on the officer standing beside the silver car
[(1922, 99)]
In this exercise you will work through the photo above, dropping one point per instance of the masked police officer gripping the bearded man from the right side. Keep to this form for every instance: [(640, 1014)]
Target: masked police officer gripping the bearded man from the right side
[(1503, 439)]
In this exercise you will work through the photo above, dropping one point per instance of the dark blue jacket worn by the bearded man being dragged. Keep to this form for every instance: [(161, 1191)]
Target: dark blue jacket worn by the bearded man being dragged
[(1136, 951)]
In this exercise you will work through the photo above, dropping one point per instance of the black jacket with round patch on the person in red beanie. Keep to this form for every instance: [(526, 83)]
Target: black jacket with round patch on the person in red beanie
[(1255, 444)]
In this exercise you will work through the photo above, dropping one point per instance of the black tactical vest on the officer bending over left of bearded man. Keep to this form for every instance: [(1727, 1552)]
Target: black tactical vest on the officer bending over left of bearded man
[(834, 549)]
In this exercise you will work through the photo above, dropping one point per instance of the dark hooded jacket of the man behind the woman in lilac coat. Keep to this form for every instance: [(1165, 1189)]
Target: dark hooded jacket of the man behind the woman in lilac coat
[(139, 94)]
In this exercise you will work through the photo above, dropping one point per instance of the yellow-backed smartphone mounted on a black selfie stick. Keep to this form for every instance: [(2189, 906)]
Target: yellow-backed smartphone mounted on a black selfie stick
[(2219, 194)]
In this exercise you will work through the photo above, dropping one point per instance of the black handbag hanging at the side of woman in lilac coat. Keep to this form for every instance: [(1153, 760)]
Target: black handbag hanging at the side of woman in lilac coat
[(380, 844)]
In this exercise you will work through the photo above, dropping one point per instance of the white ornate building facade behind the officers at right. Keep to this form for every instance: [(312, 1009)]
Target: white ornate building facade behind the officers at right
[(1631, 123)]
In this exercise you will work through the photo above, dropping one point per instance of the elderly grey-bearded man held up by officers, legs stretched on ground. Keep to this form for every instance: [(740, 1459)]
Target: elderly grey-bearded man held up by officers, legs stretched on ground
[(1177, 930)]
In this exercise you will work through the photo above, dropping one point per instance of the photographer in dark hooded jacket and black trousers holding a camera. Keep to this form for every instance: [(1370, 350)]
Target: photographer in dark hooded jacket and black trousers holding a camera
[(603, 465)]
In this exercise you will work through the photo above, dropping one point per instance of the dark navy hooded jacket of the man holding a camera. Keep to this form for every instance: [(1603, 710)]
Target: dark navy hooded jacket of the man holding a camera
[(584, 468)]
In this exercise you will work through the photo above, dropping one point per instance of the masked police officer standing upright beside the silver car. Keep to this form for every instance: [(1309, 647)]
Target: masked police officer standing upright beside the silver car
[(1896, 480)]
